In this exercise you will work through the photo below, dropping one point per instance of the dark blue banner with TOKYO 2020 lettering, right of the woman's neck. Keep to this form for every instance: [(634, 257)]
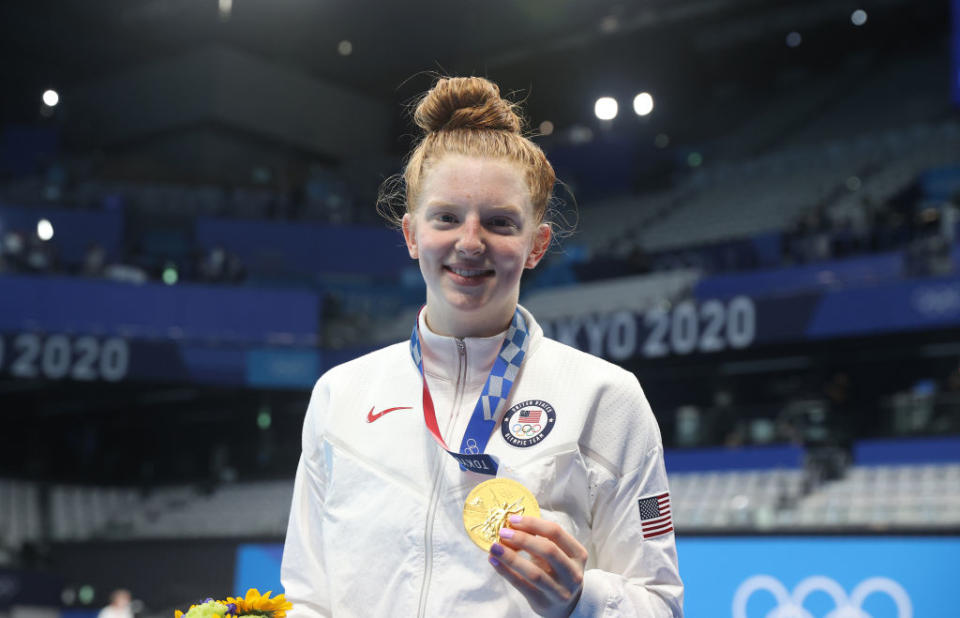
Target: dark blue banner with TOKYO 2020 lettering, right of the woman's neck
[(708, 325)]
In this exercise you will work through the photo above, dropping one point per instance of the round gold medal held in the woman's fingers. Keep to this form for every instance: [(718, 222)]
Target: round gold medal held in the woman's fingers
[(489, 506)]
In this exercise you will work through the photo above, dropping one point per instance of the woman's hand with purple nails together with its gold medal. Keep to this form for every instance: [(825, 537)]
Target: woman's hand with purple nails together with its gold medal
[(503, 517)]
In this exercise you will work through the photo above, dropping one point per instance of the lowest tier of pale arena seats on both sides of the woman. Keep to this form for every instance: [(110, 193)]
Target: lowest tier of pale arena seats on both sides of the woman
[(902, 485)]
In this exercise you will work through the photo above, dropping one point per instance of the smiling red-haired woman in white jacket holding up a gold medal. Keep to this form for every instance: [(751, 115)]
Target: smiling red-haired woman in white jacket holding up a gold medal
[(394, 442)]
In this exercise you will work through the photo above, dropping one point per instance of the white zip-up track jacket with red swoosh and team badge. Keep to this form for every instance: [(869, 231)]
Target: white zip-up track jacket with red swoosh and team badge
[(376, 524)]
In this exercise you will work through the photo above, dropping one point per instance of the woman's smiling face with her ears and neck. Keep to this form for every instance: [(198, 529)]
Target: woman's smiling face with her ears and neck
[(473, 230)]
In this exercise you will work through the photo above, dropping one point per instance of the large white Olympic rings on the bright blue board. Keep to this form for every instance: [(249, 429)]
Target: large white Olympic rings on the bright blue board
[(791, 605)]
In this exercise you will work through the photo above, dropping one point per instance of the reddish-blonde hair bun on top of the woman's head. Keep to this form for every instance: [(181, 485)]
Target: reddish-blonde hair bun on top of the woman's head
[(465, 103)]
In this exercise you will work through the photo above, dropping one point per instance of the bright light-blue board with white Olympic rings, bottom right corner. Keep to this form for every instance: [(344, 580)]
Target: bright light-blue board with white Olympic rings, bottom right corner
[(820, 577)]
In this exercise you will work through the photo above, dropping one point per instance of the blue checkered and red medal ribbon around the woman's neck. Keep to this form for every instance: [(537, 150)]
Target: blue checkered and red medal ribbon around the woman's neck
[(495, 391)]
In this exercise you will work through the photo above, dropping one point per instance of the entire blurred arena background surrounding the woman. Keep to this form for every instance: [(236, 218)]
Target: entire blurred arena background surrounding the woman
[(767, 195)]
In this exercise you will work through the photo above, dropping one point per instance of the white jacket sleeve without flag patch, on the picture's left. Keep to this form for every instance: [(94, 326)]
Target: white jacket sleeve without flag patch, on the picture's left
[(303, 570)]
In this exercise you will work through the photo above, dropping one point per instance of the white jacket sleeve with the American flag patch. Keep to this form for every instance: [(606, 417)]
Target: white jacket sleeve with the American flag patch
[(634, 575)]
